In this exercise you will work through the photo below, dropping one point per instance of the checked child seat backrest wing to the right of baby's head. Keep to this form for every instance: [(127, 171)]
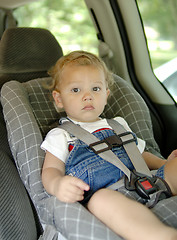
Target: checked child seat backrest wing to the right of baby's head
[(127, 103)]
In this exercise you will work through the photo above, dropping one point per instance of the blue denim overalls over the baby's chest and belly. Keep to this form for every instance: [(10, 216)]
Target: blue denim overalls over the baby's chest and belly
[(91, 168)]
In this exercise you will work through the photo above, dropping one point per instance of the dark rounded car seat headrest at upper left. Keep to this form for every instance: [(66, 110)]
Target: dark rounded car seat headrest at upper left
[(27, 51)]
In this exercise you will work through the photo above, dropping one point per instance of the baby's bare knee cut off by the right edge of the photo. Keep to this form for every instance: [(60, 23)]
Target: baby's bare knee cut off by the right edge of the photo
[(171, 174)]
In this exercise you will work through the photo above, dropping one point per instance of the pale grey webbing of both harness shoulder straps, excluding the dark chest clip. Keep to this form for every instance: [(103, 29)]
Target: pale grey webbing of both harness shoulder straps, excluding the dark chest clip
[(130, 148)]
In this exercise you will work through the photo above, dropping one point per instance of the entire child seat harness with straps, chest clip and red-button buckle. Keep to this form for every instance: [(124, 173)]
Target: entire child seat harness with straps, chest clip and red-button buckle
[(140, 180)]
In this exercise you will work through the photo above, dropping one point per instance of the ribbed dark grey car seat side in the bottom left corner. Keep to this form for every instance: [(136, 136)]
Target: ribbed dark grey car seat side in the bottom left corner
[(17, 219)]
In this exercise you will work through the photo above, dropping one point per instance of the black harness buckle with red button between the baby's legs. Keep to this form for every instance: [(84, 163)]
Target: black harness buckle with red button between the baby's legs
[(143, 185)]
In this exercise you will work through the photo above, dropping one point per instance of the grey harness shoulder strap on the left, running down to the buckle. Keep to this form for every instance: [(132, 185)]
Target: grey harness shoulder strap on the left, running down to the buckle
[(102, 148)]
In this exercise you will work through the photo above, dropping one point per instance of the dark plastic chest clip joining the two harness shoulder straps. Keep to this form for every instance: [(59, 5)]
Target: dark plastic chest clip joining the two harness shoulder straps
[(111, 141)]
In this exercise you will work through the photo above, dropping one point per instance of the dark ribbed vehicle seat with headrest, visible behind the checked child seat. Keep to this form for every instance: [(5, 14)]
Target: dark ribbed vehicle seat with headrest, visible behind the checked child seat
[(25, 53)]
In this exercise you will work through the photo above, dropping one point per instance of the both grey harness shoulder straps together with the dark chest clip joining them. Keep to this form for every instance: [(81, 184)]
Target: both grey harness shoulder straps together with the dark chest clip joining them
[(103, 148)]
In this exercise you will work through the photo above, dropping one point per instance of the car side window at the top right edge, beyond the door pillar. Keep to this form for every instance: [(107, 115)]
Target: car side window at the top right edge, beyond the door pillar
[(160, 25)]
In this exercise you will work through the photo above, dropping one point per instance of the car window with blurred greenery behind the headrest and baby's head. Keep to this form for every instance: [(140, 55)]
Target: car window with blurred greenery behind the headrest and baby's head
[(68, 20)]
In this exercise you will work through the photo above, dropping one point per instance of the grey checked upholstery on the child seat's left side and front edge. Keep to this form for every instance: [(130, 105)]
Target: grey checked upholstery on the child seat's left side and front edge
[(72, 220)]
